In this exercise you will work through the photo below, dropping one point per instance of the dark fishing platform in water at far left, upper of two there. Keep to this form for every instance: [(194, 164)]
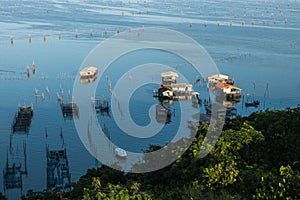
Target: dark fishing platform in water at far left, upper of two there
[(22, 119)]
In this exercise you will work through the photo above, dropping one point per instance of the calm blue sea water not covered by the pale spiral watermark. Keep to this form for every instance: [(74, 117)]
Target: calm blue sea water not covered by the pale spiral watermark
[(253, 55)]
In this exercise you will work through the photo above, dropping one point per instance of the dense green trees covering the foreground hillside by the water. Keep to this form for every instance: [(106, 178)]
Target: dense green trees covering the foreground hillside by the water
[(256, 157)]
